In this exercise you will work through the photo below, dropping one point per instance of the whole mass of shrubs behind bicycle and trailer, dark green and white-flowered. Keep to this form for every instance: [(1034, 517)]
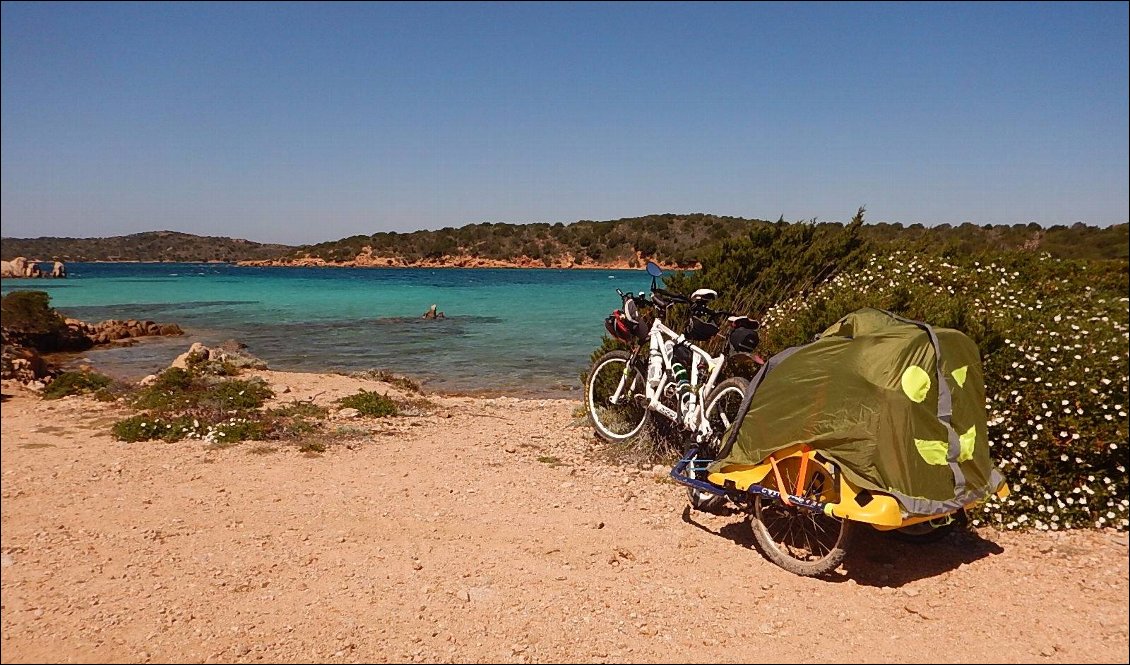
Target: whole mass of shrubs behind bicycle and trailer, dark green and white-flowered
[(1053, 332)]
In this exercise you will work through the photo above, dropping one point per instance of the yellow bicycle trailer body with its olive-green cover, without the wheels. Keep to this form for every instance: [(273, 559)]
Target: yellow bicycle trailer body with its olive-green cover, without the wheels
[(881, 420)]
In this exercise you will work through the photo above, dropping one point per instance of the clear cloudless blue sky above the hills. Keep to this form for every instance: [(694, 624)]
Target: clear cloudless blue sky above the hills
[(283, 123)]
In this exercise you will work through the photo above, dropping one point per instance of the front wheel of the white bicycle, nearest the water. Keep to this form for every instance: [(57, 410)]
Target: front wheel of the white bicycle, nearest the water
[(616, 399)]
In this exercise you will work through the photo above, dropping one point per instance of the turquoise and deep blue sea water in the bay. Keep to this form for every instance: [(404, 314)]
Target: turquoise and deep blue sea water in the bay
[(507, 331)]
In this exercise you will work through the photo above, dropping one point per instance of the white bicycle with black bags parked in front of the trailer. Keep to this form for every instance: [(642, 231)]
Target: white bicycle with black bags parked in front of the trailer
[(666, 374)]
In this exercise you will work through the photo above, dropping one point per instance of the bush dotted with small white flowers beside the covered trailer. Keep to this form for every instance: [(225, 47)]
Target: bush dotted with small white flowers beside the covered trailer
[(1054, 336)]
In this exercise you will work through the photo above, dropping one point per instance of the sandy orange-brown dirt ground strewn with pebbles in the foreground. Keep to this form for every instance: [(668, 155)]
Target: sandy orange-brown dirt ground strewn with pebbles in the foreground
[(490, 532)]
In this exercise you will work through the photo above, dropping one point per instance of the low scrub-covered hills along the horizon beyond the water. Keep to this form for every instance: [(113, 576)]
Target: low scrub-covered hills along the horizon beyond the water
[(675, 241)]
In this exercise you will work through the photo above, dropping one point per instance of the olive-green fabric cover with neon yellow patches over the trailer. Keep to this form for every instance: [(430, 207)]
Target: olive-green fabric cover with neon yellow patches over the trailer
[(872, 395)]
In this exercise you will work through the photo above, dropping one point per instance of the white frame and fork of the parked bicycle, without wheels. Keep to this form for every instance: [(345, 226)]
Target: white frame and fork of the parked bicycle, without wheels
[(693, 420)]
